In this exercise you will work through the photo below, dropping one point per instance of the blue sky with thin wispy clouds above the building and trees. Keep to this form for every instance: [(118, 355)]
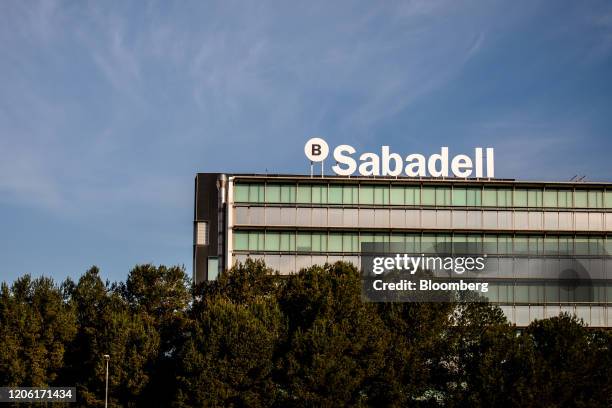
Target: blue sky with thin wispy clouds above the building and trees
[(108, 109)]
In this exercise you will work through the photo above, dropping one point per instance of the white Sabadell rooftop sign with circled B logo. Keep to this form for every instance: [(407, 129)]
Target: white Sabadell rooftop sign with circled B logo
[(389, 163)]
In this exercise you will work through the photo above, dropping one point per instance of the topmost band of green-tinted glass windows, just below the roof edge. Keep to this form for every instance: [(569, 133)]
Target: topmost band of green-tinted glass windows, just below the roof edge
[(421, 195)]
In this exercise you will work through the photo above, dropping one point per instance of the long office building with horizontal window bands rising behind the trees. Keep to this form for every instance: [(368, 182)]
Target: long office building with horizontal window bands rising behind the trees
[(296, 221)]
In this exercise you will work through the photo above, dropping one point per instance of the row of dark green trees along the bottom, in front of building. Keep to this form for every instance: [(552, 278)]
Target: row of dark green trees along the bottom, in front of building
[(254, 338)]
